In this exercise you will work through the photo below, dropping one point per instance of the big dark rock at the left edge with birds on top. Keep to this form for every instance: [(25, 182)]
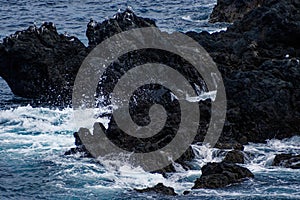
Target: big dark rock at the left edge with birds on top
[(40, 63)]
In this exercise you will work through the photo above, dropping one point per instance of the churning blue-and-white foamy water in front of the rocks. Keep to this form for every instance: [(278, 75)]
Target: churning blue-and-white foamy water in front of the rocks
[(33, 140)]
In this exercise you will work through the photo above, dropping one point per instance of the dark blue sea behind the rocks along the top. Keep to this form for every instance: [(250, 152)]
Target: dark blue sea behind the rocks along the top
[(73, 16)]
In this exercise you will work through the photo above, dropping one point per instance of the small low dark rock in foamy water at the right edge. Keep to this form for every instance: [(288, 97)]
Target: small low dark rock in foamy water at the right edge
[(287, 160)]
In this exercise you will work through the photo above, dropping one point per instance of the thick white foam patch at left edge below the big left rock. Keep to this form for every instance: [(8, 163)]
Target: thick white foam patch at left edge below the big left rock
[(28, 131)]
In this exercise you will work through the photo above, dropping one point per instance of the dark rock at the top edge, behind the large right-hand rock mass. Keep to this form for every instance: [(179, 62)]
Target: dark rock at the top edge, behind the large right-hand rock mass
[(231, 10)]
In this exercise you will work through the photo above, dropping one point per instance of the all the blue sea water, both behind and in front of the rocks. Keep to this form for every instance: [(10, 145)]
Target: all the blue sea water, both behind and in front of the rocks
[(33, 140)]
